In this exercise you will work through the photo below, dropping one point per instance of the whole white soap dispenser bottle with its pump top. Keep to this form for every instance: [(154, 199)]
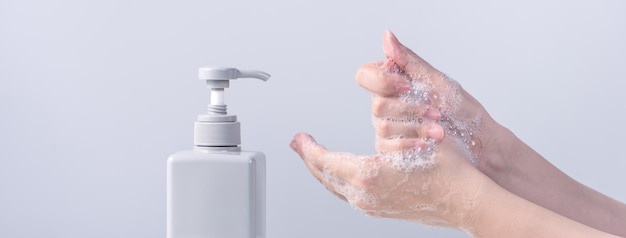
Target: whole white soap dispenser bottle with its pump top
[(217, 190)]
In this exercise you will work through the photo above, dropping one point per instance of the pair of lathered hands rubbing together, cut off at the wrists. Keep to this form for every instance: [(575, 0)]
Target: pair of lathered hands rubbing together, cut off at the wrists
[(419, 174)]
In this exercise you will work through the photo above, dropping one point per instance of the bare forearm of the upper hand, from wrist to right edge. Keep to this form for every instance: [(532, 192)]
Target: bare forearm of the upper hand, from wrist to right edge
[(526, 173)]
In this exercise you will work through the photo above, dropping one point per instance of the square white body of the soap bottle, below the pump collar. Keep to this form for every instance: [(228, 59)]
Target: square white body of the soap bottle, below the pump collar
[(216, 192)]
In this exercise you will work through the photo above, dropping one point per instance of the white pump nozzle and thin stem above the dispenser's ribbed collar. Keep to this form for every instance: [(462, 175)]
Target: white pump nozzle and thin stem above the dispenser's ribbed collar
[(219, 78)]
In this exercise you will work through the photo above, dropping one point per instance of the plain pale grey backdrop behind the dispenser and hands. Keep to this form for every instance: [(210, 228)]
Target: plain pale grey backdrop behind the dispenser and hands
[(94, 95)]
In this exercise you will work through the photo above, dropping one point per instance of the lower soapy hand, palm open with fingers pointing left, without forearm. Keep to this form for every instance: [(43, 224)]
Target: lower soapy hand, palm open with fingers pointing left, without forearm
[(430, 183)]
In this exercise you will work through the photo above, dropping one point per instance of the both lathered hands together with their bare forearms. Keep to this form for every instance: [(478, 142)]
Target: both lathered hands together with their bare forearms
[(432, 139)]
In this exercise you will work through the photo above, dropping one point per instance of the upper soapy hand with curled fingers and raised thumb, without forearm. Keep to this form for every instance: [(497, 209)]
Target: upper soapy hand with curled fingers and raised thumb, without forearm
[(408, 92)]
